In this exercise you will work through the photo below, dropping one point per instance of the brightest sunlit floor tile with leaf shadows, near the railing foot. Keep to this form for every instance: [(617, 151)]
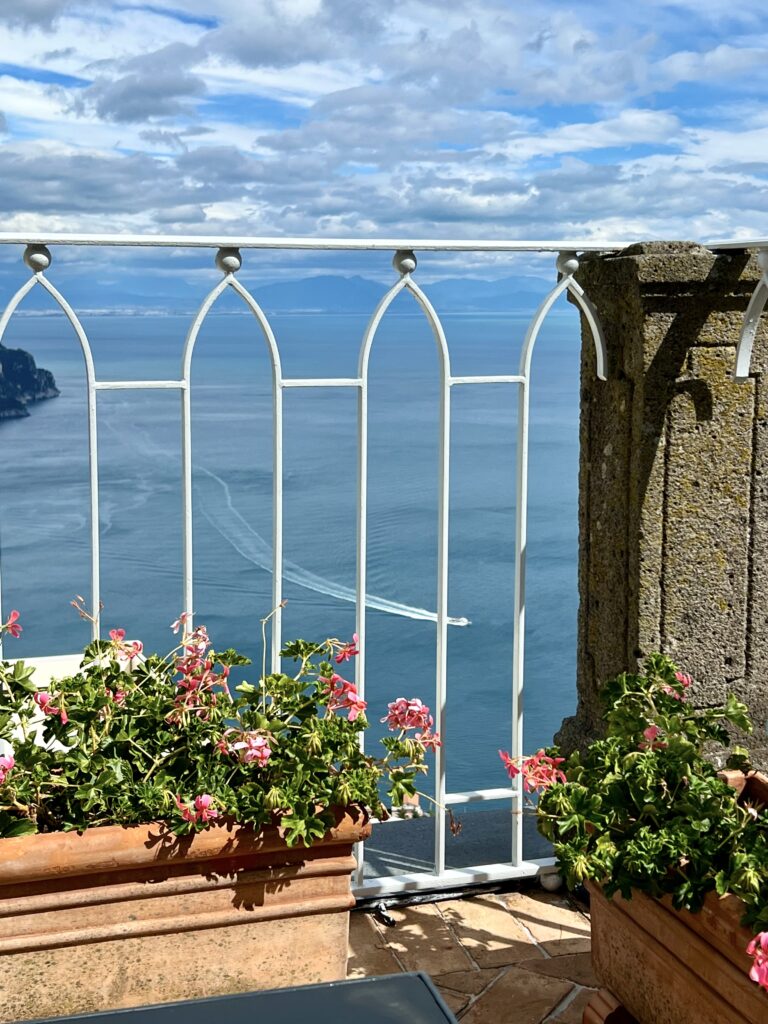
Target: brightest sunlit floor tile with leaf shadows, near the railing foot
[(488, 931)]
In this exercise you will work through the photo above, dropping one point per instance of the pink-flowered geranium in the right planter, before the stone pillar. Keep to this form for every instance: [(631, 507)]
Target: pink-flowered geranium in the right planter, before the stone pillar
[(646, 809)]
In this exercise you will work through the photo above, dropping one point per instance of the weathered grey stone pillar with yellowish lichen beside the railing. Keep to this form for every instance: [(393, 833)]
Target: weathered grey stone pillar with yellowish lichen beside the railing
[(673, 481)]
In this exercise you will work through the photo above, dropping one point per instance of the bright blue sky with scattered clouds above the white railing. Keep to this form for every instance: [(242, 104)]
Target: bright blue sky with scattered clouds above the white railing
[(428, 118)]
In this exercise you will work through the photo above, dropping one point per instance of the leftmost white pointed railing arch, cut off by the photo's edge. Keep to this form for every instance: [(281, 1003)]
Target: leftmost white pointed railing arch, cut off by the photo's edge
[(38, 259)]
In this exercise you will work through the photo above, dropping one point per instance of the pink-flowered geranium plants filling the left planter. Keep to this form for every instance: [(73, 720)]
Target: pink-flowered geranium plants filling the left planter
[(133, 739)]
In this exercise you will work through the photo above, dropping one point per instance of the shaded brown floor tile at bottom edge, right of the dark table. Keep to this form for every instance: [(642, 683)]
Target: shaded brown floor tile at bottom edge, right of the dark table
[(519, 998)]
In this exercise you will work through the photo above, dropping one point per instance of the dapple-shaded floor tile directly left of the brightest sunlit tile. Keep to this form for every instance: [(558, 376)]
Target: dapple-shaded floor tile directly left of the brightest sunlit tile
[(424, 943)]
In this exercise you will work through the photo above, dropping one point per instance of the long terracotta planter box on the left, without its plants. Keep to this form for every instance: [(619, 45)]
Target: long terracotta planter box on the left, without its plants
[(124, 917)]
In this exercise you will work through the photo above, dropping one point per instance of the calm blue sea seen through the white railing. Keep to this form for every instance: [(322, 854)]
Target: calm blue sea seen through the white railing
[(45, 503)]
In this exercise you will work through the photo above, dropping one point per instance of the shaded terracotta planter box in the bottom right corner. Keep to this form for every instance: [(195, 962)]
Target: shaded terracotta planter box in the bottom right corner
[(672, 967)]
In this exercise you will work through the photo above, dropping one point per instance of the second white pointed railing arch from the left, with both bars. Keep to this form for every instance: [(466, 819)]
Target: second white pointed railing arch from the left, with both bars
[(230, 262)]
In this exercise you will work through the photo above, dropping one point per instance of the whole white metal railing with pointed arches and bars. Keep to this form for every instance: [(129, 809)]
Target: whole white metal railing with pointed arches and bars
[(38, 259)]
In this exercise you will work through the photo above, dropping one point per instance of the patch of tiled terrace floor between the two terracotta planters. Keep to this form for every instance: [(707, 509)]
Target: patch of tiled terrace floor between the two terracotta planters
[(520, 958)]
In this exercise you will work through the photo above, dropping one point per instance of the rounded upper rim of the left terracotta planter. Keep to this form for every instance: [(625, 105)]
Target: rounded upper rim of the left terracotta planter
[(115, 848)]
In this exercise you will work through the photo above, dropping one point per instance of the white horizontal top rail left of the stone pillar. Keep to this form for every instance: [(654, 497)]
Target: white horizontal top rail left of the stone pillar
[(247, 242)]
